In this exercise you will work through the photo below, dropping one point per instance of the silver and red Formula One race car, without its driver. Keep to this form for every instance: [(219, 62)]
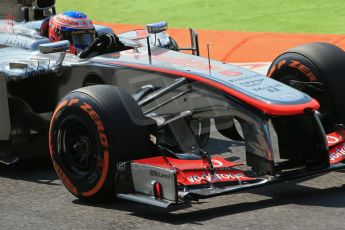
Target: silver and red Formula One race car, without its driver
[(139, 124)]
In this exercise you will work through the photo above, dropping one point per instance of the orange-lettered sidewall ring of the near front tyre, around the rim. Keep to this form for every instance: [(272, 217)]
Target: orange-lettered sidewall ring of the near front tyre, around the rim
[(77, 106)]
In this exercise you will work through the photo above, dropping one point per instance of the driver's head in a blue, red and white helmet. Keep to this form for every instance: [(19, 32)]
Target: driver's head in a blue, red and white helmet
[(73, 26)]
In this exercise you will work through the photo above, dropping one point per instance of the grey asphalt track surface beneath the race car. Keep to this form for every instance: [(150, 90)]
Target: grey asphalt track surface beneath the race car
[(32, 197)]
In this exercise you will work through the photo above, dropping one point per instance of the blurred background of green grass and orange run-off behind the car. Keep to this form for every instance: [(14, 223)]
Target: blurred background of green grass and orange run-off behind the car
[(241, 30)]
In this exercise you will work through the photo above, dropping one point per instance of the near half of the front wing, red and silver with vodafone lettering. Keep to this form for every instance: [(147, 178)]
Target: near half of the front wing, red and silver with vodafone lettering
[(167, 182)]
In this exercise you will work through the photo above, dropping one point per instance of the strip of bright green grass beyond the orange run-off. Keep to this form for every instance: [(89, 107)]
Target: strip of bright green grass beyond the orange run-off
[(311, 16)]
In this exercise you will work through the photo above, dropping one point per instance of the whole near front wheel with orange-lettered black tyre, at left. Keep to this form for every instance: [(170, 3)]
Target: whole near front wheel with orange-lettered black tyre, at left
[(93, 130)]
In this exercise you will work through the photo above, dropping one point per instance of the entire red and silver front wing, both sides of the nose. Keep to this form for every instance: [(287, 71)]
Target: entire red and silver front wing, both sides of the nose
[(172, 183)]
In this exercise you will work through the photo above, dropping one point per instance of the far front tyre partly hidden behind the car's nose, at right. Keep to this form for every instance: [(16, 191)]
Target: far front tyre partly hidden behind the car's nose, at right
[(317, 69)]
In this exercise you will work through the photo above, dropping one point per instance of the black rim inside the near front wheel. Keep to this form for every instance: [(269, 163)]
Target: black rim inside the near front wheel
[(77, 146)]
